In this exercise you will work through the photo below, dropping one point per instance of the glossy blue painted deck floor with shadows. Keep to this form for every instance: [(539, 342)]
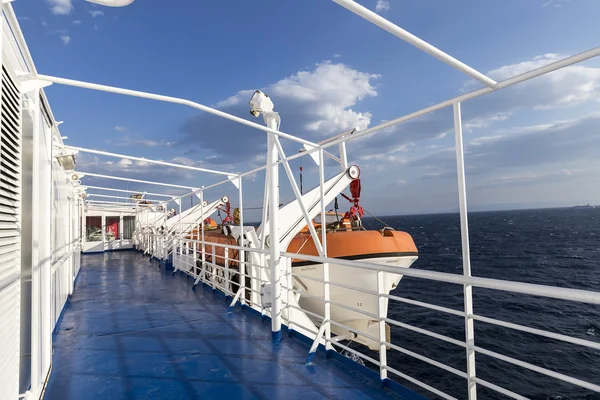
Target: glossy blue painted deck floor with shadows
[(133, 330)]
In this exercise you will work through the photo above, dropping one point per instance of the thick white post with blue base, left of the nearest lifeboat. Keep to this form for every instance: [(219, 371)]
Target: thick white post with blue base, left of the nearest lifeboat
[(271, 119)]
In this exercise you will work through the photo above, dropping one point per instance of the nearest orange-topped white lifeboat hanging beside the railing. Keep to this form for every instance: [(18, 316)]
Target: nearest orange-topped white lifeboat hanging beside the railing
[(351, 307)]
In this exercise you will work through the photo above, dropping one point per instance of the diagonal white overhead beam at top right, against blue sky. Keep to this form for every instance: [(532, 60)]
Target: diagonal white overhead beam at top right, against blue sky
[(414, 40)]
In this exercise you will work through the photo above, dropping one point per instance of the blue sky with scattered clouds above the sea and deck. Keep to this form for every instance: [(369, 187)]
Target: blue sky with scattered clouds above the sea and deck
[(327, 70)]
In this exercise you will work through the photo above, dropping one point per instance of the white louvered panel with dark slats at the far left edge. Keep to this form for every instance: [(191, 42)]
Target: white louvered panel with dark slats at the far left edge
[(10, 240)]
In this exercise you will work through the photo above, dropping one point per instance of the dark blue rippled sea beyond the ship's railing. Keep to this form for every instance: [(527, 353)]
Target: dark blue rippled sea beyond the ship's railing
[(557, 247)]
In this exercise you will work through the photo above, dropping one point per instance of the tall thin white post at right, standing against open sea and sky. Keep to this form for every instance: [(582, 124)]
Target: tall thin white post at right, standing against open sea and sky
[(464, 234)]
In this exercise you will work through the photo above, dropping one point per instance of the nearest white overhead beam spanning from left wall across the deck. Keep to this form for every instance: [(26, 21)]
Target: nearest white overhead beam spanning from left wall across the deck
[(169, 99)]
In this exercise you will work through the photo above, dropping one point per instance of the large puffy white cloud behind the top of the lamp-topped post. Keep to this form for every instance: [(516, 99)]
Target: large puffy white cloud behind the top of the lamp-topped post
[(313, 103)]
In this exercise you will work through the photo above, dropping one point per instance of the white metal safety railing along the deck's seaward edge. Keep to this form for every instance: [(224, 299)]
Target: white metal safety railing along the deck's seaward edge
[(187, 252)]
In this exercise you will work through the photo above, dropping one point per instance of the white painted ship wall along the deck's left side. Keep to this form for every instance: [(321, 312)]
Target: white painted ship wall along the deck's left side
[(39, 228)]
